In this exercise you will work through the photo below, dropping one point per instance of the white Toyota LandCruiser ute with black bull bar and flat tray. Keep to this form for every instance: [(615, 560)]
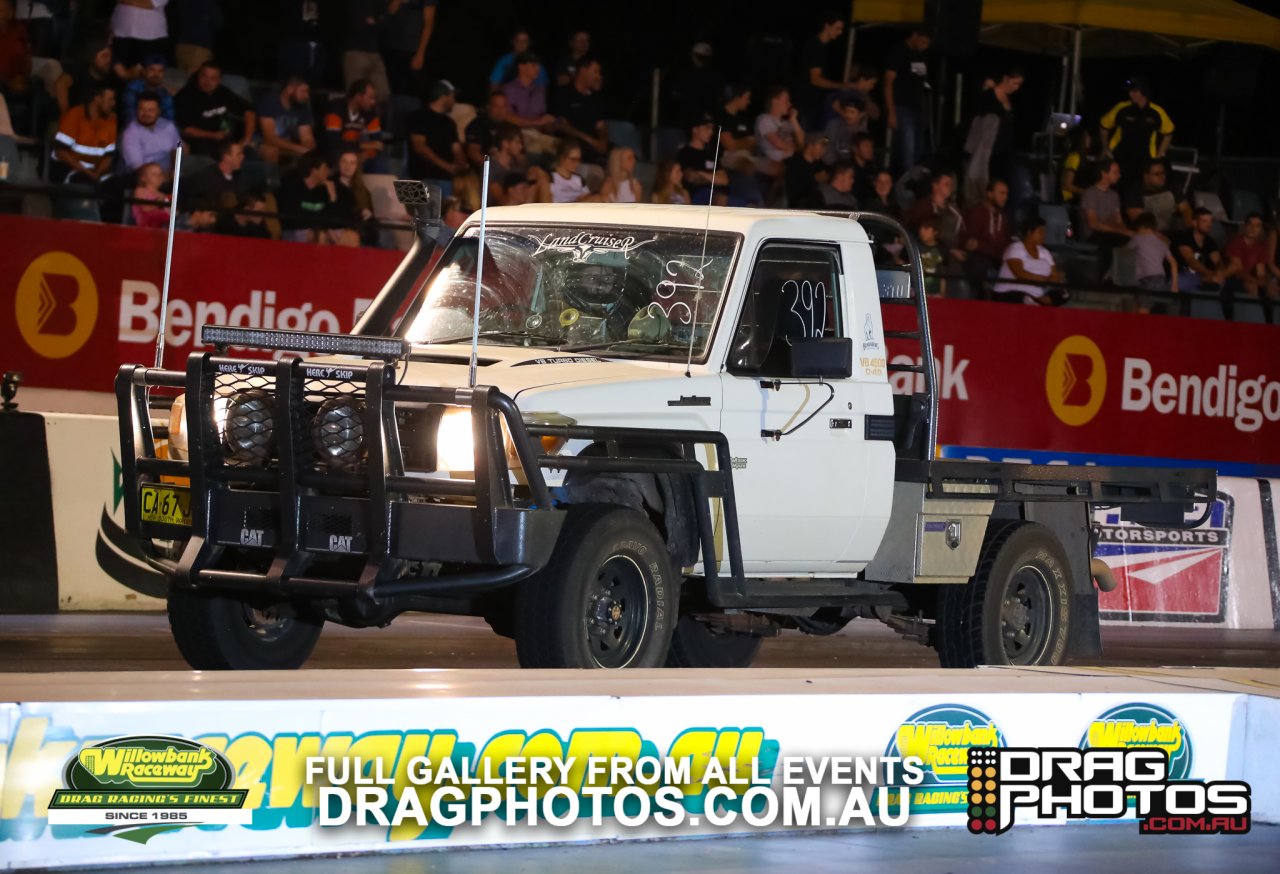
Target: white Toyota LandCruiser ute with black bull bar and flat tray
[(678, 438)]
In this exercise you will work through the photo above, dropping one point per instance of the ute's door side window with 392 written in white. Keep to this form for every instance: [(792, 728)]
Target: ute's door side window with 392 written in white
[(794, 295)]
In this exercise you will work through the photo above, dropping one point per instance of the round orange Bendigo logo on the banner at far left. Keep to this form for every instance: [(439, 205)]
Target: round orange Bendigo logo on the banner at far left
[(57, 305)]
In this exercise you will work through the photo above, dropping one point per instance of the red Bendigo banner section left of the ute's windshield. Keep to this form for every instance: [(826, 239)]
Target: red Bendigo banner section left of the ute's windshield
[(86, 298)]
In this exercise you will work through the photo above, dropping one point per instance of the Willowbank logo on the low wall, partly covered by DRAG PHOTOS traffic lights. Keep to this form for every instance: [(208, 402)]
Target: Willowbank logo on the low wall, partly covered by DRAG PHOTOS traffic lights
[(941, 738)]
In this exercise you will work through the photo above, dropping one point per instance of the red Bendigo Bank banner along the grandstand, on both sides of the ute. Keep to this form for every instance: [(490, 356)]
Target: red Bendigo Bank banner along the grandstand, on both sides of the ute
[(1017, 382)]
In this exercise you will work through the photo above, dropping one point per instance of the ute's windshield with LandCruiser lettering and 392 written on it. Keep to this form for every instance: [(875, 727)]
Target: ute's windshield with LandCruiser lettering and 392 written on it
[(627, 291)]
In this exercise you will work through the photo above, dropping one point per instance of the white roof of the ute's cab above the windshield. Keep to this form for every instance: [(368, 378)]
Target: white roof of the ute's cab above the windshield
[(799, 223)]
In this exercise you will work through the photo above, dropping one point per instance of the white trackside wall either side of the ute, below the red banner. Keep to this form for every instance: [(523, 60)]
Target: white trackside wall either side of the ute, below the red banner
[(1226, 574)]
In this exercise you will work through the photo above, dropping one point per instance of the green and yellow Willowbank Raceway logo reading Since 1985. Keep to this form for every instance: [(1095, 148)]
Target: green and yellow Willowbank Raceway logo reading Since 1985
[(140, 786)]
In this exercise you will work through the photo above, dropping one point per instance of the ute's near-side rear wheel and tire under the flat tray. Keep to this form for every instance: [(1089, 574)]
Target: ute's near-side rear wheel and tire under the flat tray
[(1018, 607)]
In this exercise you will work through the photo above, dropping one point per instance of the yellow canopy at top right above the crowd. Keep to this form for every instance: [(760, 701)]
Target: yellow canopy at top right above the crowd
[(1214, 21)]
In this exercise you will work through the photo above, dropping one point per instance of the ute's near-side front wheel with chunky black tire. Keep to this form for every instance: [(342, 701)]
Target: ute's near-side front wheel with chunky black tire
[(607, 598)]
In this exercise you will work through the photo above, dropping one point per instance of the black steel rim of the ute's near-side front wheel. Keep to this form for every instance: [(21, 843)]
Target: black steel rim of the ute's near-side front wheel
[(618, 612)]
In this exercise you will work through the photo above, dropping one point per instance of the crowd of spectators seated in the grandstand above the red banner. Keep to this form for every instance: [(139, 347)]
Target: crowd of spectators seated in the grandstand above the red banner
[(290, 159)]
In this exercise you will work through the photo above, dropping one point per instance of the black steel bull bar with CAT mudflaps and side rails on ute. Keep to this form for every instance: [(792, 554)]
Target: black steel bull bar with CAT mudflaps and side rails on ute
[(486, 533)]
